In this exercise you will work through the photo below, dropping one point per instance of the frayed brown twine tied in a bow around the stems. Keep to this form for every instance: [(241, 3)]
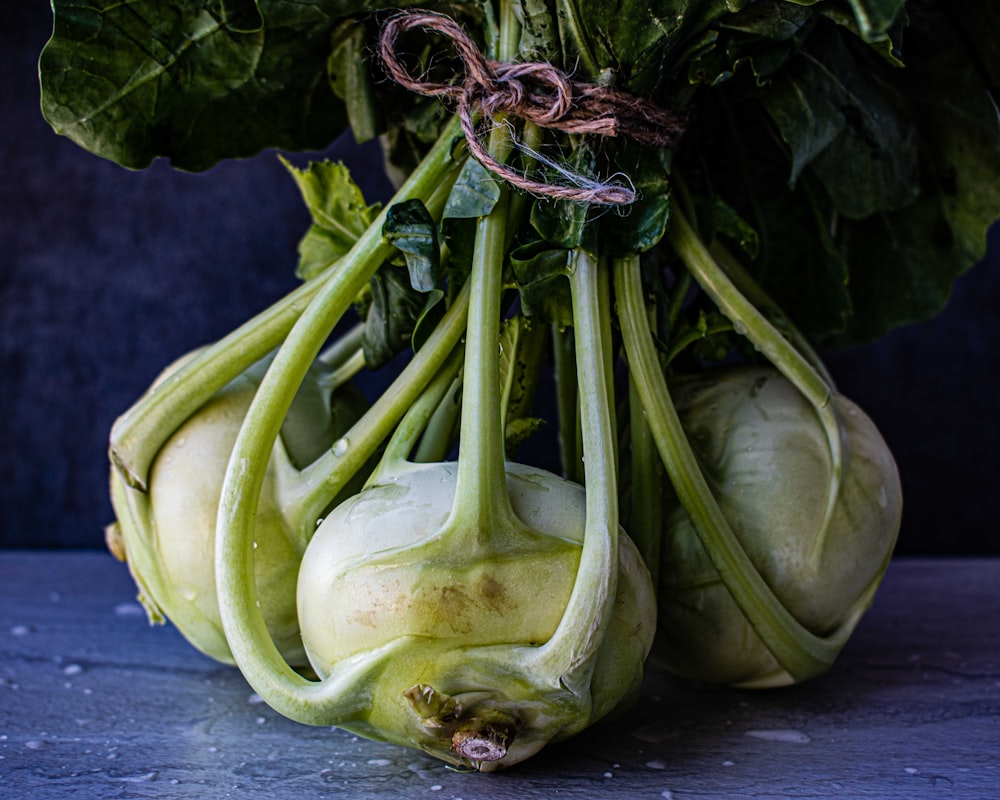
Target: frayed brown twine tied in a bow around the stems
[(536, 92)]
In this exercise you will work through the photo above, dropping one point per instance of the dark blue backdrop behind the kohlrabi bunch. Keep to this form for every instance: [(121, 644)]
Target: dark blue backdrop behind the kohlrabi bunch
[(107, 275)]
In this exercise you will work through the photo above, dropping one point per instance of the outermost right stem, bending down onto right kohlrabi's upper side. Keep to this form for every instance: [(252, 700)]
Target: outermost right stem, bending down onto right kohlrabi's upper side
[(751, 323)]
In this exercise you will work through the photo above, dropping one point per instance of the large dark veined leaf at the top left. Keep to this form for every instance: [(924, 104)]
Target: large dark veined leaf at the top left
[(192, 80)]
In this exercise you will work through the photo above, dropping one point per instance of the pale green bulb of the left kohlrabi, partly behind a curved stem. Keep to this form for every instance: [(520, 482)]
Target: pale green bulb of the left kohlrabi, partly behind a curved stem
[(168, 533)]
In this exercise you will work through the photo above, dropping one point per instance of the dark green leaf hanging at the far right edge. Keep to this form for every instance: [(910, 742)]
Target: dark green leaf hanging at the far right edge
[(906, 260)]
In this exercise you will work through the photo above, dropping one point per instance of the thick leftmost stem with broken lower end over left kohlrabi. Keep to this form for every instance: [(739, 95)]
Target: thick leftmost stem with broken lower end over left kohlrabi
[(138, 435)]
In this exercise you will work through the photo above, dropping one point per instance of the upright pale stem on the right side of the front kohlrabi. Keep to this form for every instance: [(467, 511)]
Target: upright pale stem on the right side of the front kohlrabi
[(570, 653)]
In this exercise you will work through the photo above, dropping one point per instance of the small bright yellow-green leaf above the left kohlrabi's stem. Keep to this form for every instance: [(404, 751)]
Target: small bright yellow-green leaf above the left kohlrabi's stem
[(339, 212)]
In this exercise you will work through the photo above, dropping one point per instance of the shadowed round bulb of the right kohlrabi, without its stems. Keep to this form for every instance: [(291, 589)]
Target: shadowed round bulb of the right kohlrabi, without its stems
[(766, 458)]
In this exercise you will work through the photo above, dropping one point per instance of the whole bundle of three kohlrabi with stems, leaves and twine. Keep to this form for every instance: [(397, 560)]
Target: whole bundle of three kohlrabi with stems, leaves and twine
[(664, 207)]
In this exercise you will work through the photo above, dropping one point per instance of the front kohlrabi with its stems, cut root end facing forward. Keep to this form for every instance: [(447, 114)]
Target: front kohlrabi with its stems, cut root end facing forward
[(418, 597)]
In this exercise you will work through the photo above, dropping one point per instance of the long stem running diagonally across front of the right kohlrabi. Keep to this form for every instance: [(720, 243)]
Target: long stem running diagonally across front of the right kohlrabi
[(801, 653)]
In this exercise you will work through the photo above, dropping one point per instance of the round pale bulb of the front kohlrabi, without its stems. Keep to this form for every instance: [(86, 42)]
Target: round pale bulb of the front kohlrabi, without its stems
[(460, 620)]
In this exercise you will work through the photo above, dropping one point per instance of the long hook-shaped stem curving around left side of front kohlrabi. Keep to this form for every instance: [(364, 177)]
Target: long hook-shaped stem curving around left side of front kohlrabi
[(340, 696)]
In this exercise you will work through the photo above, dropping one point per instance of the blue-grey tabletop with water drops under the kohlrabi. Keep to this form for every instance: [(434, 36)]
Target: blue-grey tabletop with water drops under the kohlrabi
[(94, 703)]
